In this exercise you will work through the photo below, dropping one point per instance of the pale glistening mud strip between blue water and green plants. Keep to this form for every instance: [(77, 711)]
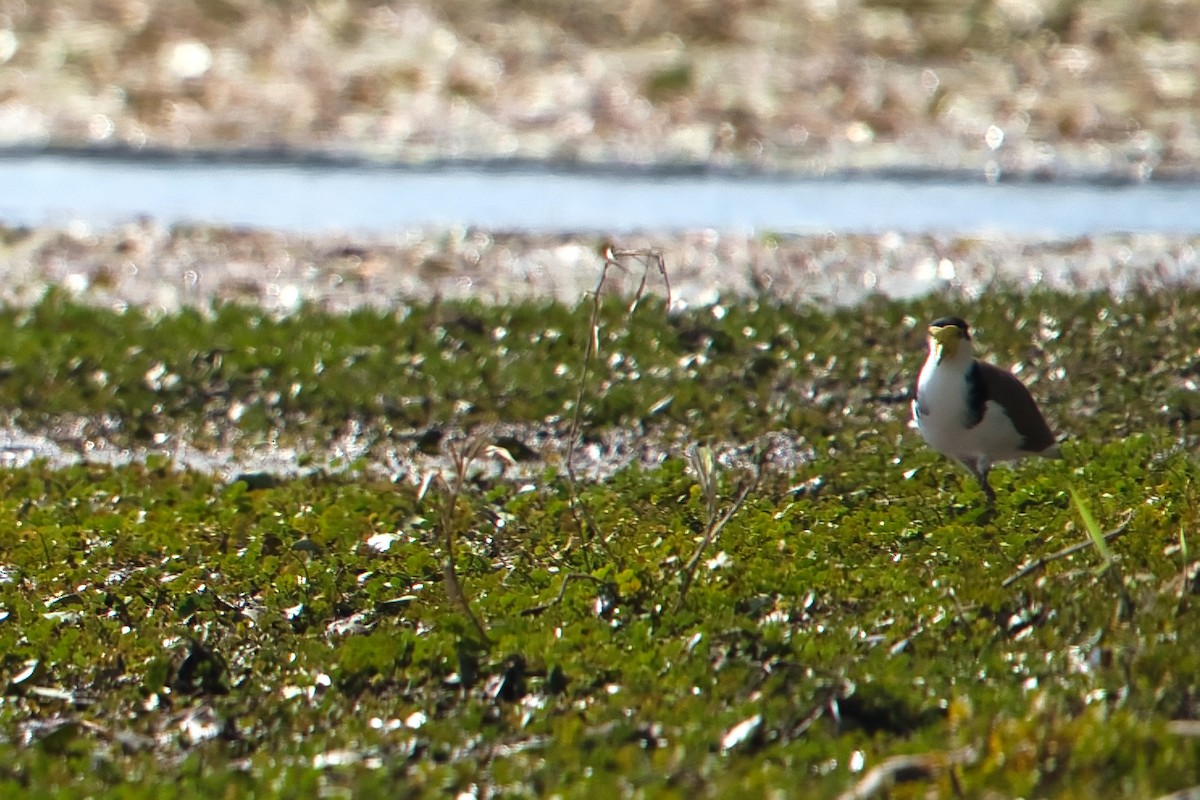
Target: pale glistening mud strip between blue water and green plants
[(147, 266)]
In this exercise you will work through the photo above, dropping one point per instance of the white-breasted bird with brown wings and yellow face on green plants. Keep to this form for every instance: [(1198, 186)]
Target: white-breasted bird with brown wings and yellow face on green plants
[(974, 412)]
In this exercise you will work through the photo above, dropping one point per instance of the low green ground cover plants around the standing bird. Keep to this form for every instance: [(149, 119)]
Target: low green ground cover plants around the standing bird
[(705, 627)]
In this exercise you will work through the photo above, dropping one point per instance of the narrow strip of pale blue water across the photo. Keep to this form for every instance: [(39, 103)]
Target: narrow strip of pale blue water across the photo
[(315, 197)]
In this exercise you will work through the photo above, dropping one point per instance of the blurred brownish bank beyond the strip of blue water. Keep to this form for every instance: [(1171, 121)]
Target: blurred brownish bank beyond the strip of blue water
[(1034, 86)]
